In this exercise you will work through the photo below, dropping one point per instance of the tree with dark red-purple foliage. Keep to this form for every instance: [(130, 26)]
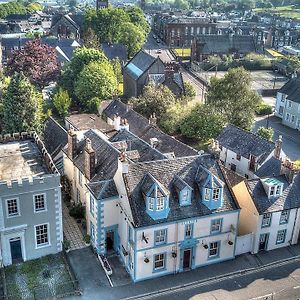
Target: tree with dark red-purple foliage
[(37, 61)]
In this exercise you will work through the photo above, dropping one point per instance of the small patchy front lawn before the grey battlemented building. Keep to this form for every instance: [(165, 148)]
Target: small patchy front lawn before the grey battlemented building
[(42, 278)]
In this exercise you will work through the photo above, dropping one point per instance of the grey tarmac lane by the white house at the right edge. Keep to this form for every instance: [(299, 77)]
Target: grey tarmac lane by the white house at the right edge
[(290, 137)]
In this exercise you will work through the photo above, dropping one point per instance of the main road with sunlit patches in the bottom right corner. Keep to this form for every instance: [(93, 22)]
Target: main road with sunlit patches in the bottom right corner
[(280, 282)]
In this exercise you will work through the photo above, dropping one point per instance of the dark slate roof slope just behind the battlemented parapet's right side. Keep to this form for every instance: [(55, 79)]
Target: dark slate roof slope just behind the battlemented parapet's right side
[(55, 137)]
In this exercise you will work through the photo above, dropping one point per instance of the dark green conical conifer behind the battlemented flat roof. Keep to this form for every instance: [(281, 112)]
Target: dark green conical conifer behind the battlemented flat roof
[(22, 106)]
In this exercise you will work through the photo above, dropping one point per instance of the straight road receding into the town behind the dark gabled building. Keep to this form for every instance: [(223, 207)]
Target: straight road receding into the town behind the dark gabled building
[(151, 46)]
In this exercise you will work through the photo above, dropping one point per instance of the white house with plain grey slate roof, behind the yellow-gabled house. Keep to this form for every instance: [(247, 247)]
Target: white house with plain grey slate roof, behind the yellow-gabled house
[(245, 152)]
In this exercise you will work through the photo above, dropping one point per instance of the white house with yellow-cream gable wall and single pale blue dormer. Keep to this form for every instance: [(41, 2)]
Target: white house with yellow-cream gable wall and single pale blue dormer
[(269, 206)]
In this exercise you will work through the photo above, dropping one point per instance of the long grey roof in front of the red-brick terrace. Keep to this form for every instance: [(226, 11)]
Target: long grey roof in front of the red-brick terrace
[(224, 43)]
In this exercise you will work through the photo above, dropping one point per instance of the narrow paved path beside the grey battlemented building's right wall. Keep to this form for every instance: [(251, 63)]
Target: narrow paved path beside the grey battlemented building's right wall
[(72, 232)]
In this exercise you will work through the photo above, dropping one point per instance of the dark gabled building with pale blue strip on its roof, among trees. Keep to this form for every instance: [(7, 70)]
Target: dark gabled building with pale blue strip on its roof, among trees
[(144, 68)]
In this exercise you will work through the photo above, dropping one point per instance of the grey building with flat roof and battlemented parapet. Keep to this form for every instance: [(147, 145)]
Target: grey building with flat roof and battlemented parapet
[(30, 200)]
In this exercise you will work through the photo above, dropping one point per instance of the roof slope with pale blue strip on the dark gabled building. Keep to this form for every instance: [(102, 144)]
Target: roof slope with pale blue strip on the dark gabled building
[(139, 64)]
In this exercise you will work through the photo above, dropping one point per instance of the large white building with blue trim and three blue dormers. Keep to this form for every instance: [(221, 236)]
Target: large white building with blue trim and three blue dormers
[(161, 213)]
